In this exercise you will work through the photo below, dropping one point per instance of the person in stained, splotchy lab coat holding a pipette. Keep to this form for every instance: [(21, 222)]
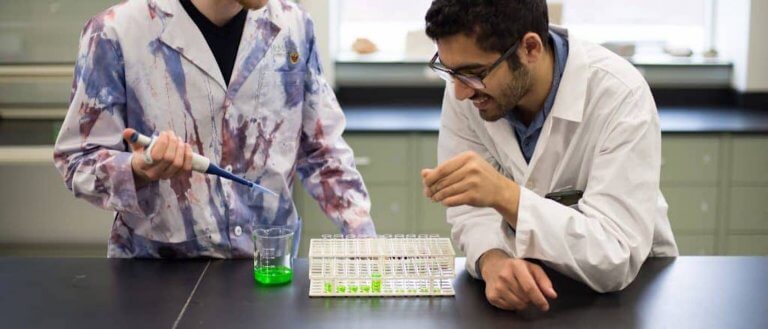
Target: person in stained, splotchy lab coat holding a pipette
[(236, 81)]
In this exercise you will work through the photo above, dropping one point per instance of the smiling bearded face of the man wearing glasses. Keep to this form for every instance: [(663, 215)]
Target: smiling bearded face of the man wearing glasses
[(504, 86)]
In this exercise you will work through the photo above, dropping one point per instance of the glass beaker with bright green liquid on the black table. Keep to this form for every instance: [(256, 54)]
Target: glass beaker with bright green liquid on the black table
[(273, 254)]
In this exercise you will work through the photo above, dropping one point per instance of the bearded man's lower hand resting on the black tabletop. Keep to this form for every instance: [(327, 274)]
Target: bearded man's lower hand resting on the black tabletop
[(514, 284)]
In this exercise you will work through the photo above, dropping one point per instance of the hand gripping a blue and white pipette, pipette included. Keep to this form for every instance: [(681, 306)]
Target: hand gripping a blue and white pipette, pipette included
[(166, 155)]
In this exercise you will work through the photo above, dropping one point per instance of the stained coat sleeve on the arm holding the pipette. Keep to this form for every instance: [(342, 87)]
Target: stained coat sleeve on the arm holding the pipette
[(89, 151)]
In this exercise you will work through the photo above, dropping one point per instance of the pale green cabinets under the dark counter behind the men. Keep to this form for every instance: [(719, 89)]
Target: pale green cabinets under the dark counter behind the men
[(716, 185)]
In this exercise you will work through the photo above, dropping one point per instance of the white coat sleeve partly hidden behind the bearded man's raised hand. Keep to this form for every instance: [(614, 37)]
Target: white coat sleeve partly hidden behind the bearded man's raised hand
[(475, 230)]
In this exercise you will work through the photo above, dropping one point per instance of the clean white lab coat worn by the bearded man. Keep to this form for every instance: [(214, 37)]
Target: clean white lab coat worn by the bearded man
[(602, 136)]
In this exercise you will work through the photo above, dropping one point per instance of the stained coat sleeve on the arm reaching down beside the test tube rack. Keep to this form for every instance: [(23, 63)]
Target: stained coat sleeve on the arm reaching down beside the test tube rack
[(325, 163)]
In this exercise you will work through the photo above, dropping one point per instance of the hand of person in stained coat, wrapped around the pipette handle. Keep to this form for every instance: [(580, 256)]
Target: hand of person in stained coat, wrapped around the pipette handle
[(170, 155)]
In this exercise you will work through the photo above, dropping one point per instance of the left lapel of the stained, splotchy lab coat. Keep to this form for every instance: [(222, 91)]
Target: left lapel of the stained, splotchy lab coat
[(183, 36)]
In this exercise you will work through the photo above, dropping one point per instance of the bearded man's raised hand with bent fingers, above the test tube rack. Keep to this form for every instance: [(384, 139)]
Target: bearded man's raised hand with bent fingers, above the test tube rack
[(468, 179)]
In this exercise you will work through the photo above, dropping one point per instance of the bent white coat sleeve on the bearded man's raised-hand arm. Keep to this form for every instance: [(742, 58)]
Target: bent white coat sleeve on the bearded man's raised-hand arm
[(605, 242)]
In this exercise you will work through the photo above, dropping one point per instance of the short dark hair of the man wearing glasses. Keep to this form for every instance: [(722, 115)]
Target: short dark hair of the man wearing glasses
[(496, 24)]
